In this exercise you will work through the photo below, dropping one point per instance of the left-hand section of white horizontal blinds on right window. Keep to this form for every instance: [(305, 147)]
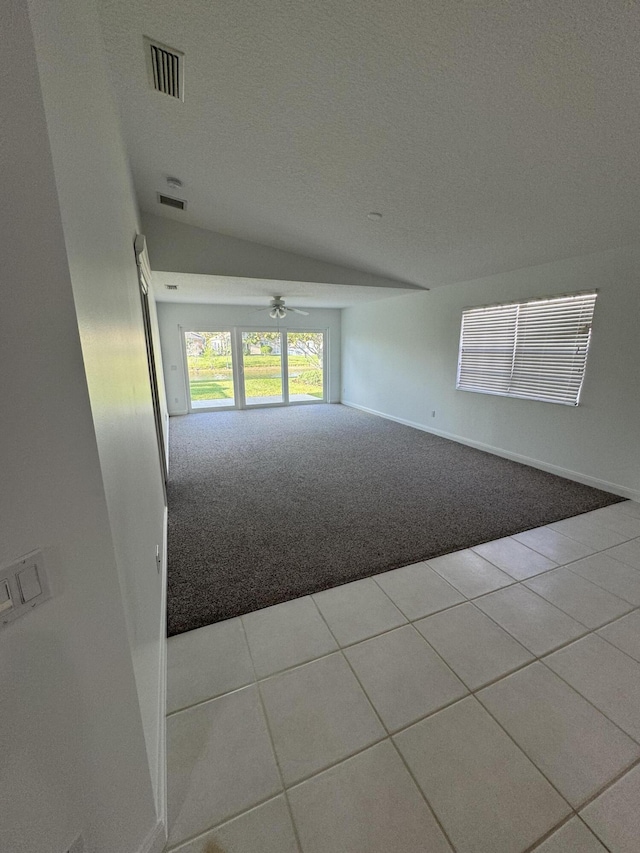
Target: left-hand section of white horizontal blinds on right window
[(486, 348)]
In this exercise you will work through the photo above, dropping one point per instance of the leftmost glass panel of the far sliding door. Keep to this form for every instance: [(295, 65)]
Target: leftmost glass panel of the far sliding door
[(210, 368)]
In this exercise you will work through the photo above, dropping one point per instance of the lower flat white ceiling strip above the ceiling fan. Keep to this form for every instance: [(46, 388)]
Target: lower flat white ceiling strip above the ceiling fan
[(232, 290)]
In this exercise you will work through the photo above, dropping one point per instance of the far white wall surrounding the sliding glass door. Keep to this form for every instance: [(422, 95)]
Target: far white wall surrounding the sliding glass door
[(203, 318)]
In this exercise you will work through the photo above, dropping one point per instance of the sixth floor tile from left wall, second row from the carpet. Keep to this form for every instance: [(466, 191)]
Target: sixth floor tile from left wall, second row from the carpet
[(579, 598)]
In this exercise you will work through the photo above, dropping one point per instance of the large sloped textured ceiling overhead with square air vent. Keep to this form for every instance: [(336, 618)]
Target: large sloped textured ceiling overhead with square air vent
[(490, 135)]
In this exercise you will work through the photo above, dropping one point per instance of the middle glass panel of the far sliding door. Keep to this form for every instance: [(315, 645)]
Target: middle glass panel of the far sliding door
[(262, 368)]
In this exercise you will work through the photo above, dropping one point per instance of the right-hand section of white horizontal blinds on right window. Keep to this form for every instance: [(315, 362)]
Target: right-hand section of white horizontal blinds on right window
[(551, 348)]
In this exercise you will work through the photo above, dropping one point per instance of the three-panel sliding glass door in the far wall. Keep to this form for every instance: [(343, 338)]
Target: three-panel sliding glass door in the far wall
[(242, 368)]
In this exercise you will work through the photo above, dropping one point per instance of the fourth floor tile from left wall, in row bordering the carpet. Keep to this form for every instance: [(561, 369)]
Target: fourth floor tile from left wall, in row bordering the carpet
[(418, 591)]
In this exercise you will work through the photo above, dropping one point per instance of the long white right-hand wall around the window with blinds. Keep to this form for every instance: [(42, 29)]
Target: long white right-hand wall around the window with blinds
[(400, 358)]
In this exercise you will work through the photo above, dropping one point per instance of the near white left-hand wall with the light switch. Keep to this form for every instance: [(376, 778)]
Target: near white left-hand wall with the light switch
[(78, 721)]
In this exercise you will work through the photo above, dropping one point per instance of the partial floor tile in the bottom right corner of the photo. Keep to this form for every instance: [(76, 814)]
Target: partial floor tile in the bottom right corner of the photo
[(615, 815)]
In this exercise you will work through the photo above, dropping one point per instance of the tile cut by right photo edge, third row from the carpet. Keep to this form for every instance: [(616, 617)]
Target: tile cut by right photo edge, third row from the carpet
[(605, 676)]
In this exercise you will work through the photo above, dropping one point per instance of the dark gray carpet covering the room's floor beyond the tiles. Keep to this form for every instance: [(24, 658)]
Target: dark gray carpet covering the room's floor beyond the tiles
[(266, 505)]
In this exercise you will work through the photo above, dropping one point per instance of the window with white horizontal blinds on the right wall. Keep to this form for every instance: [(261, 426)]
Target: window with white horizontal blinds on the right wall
[(536, 350)]
